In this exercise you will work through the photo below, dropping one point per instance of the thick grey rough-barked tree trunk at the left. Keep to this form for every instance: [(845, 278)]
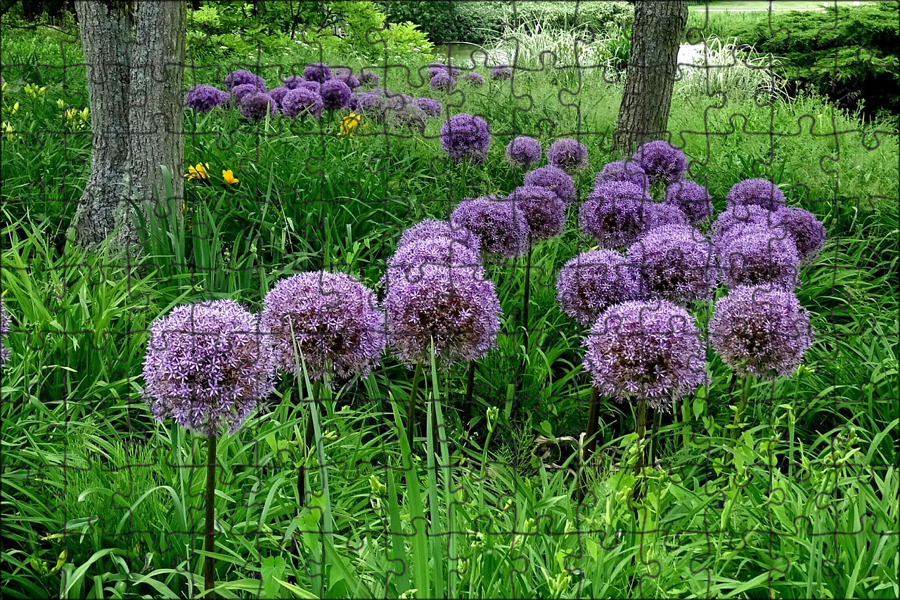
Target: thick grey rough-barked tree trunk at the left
[(134, 52)]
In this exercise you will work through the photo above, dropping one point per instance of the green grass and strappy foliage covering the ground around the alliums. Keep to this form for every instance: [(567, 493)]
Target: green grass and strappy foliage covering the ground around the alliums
[(804, 505)]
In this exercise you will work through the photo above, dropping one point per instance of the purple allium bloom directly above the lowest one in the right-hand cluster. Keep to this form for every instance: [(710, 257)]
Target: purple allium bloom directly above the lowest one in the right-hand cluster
[(675, 263)]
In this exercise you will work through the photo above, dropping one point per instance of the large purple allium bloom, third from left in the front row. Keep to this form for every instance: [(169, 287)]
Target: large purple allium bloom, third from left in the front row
[(456, 307)]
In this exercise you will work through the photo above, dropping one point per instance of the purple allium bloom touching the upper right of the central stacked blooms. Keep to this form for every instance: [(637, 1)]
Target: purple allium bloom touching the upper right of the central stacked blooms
[(502, 229)]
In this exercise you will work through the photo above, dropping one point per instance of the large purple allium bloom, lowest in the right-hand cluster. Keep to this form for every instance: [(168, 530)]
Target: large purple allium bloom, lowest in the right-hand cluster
[(645, 351)]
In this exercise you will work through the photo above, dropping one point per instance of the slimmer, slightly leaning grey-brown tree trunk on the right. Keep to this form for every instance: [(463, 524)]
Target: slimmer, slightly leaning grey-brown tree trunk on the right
[(650, 76)]
